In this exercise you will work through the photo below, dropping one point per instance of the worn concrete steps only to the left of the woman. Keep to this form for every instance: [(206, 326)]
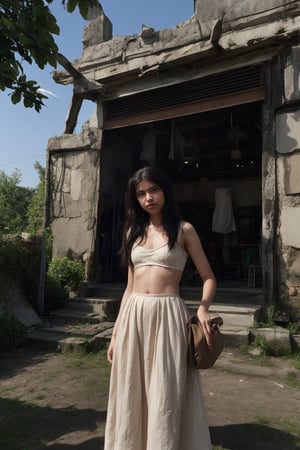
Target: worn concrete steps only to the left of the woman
[(84, 322)]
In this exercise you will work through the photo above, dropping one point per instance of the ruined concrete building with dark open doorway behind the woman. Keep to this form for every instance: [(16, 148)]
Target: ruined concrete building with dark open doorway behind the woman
[(214, 102)]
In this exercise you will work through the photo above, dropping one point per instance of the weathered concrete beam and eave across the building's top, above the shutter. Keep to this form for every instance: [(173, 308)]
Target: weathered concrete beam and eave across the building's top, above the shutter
[(136, 62)]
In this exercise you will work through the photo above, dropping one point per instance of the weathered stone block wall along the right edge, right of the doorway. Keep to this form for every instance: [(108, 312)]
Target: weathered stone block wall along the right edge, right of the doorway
[(288, 181)]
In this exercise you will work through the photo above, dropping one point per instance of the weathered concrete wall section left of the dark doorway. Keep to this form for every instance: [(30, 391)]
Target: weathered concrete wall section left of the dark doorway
[(74, 169)]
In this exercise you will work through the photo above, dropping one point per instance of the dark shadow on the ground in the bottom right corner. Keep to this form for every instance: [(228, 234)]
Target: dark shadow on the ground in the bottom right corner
[(252, 437)]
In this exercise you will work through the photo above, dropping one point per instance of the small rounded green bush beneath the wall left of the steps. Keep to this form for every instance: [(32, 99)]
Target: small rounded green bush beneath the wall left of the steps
[(70, 272)]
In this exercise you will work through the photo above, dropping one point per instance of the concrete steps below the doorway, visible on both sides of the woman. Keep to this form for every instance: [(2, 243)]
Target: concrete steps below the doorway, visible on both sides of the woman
[(87, 320)]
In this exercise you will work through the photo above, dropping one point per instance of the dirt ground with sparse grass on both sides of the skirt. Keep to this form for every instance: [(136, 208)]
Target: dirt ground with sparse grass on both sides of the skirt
[(58, 402)]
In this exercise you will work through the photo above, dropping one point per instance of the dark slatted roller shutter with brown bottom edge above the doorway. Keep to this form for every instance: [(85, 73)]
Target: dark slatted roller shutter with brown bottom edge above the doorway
[(217, 91)]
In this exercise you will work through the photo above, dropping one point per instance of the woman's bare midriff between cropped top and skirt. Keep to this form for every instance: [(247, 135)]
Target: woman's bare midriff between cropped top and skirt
[(156, 280)]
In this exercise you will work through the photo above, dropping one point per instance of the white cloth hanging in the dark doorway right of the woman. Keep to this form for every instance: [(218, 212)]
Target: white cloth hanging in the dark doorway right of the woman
[(223, 219)]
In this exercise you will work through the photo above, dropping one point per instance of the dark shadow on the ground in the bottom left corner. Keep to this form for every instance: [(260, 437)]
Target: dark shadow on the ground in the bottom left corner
[(27, 426)]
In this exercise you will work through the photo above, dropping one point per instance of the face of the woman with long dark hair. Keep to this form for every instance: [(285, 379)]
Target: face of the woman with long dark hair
[(150, 197)]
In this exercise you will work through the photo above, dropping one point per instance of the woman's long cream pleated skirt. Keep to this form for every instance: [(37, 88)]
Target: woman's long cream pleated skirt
[(155, 399)]
